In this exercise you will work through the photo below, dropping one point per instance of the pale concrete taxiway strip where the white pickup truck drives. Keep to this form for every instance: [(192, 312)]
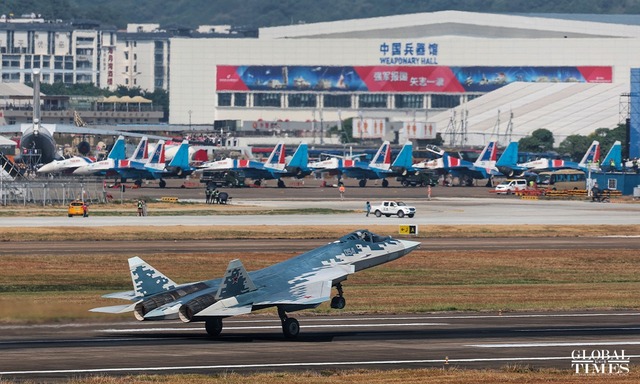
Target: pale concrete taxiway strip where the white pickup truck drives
[(442, 211)]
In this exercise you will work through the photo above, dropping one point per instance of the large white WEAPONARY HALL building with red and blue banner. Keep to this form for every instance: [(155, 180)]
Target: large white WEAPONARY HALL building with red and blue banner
[(504, 76)]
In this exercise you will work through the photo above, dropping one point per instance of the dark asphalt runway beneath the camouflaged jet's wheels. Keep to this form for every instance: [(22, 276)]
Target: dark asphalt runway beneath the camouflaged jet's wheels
[(255, 343)]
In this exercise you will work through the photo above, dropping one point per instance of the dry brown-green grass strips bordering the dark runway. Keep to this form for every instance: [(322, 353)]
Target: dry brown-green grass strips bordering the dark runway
[(56, 288)]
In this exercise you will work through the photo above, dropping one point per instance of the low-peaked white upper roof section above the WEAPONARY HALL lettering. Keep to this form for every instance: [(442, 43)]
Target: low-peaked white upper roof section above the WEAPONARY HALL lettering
[(453, 23)]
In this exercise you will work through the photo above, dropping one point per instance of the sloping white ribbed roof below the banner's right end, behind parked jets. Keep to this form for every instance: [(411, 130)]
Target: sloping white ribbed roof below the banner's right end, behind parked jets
[(563, 108)]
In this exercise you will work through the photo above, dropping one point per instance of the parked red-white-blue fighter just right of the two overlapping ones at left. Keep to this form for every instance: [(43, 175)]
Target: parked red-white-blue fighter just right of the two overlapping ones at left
[(276, 166)]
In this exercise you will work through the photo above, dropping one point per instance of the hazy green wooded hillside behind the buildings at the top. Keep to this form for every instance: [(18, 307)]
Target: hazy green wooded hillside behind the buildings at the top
[(265, 13)]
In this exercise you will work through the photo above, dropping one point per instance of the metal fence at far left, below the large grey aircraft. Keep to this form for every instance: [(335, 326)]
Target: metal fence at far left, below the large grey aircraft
[(44, 192)]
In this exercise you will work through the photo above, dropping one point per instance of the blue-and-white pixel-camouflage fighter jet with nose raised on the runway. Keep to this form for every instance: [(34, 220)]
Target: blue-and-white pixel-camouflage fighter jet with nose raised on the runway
[(302, 282)]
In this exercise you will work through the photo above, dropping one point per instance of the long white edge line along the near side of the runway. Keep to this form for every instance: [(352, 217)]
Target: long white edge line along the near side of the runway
[(285, 365)]
